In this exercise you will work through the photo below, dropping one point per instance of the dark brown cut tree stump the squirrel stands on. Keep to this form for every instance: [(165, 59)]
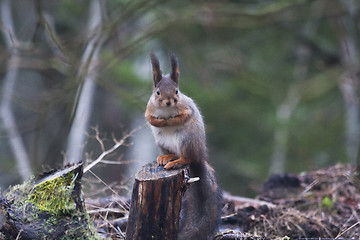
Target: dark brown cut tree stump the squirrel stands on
[(156, 203)]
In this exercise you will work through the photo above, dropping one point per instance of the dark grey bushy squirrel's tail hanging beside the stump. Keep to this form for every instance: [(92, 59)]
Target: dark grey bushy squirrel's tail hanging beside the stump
[(200, 214)]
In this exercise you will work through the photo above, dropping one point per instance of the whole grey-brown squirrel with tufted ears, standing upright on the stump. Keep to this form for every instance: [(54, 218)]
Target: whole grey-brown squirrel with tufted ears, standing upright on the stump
[(179, 132)]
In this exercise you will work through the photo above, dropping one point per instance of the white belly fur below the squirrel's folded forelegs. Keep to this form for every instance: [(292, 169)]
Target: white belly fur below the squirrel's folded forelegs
[(168, 138)]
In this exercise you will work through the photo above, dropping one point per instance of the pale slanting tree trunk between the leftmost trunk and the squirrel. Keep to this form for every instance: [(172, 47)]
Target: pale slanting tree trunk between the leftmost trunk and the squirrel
[(87, 70)]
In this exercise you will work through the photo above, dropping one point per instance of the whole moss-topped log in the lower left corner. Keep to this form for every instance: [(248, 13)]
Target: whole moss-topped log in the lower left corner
[(46, 207)]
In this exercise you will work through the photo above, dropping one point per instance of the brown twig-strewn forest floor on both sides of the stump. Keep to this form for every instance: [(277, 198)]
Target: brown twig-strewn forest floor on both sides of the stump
[(322, 204)]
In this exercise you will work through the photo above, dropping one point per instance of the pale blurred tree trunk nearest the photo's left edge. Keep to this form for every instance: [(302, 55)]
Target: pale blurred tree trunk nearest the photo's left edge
[(16, 142)]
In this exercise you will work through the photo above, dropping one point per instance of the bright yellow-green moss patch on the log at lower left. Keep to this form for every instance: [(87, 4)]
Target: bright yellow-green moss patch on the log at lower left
[(54, 195)]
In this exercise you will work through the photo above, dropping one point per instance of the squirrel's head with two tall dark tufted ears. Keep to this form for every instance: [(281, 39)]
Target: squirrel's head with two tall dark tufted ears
[(165, 91)]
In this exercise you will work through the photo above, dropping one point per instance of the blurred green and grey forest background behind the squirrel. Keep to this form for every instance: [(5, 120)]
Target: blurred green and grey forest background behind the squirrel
[(277, 83)]
